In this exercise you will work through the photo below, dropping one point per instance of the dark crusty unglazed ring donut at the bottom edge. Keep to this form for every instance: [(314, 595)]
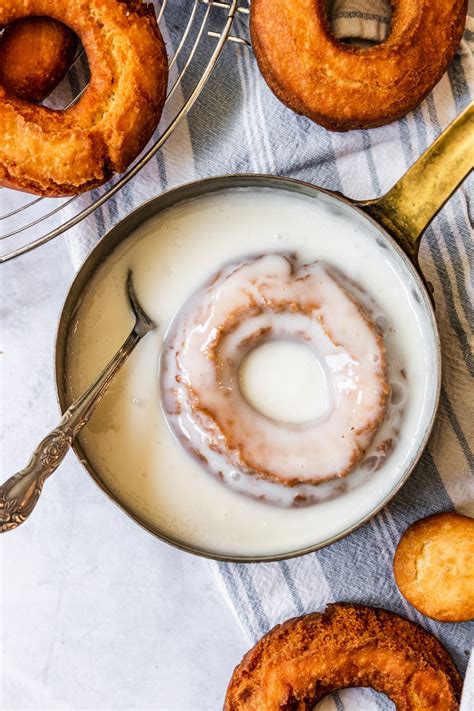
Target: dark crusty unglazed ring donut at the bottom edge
[(306, 658)]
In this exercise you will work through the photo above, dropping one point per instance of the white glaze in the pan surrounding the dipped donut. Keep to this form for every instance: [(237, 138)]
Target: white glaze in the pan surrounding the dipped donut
[(172, 255)]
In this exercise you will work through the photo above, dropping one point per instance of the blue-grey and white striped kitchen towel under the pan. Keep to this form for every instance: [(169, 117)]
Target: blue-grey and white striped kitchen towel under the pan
[(239, 126)]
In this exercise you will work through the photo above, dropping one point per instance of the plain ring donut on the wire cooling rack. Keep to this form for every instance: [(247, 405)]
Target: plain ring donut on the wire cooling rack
[(66, 152)]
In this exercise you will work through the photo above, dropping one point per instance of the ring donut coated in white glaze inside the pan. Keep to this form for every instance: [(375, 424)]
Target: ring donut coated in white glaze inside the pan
[(244, 305)]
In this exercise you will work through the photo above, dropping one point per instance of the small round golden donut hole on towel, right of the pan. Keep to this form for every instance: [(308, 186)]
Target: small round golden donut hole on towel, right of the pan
[(434, 567)]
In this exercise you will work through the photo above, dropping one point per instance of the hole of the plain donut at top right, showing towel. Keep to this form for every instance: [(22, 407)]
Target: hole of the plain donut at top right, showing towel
[(357, 28)]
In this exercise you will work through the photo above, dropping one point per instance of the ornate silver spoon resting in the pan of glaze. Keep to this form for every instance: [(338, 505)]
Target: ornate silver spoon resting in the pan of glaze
[(20, 493)]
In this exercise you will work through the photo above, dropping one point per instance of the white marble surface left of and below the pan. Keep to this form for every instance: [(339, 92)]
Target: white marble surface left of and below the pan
[(95, 612)]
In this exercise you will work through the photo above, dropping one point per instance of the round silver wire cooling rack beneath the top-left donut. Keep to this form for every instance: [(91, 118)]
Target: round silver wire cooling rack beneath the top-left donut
[(26, 221)]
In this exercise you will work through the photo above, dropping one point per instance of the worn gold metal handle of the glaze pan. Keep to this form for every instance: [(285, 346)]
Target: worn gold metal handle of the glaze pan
[(408, 208)]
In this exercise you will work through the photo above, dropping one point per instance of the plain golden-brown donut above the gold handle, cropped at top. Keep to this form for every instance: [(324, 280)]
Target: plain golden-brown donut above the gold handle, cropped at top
[(344, 87)]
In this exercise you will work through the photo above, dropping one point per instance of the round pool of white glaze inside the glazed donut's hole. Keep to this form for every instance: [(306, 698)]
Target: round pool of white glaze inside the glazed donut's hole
[(285, 381)]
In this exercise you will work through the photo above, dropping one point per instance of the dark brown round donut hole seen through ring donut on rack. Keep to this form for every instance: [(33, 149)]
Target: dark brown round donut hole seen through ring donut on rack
[(35, 54)]
